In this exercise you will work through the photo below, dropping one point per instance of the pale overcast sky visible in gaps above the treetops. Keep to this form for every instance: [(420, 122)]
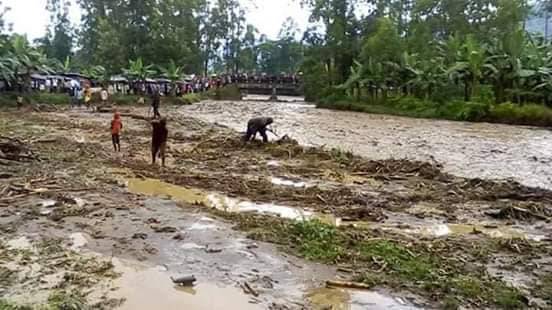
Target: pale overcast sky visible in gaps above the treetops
[(30, 16)]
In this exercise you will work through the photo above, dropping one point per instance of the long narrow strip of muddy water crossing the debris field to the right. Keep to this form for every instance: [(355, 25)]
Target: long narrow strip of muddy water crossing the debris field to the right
[(157, 188)]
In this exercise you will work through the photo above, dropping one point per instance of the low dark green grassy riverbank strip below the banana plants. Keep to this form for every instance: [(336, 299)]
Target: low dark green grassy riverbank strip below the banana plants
[(506, 113)]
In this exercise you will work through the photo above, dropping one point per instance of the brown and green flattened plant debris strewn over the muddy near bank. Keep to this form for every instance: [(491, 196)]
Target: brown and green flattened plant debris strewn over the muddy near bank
[(449, 271)]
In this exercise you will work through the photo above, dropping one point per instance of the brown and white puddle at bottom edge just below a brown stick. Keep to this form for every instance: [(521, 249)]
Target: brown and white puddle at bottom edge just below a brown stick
[(341, 299)]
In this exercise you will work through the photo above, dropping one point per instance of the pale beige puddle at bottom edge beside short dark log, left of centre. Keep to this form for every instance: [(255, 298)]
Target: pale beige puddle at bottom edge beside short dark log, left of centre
[(151, 288)]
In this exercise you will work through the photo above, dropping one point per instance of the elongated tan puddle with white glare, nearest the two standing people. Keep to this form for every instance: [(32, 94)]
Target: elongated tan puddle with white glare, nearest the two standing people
[(153, 187)]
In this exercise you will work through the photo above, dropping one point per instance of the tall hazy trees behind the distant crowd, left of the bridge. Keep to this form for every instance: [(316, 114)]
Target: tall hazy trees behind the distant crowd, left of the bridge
[(198, 36)]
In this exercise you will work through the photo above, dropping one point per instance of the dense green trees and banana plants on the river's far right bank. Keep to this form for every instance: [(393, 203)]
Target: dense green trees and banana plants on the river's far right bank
[(478, 50)]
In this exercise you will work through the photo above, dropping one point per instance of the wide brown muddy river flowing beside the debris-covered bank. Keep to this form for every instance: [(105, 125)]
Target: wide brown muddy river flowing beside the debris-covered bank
[(465, 149)]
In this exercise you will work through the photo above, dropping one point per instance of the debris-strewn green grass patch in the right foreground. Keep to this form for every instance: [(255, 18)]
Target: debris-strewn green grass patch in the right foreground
[(423, 267)]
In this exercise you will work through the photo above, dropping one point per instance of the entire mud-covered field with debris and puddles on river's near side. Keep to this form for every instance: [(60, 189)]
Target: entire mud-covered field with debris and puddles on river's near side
[(277, 226)]
